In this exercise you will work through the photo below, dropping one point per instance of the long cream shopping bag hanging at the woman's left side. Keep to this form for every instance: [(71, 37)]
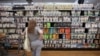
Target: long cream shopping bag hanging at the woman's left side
[(26, 45)]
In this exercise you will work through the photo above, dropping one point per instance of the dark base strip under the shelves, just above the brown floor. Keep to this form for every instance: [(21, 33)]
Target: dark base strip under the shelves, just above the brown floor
[(64, 49)]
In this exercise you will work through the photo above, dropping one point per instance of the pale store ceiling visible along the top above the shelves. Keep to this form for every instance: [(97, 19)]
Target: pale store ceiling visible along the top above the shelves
[(68, 1)]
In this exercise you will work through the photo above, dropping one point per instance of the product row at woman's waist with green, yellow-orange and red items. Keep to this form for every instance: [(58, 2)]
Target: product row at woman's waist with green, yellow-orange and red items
[(71, 36)]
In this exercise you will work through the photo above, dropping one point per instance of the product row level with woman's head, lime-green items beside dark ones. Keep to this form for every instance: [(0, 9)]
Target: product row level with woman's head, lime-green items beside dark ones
[(52, 25)]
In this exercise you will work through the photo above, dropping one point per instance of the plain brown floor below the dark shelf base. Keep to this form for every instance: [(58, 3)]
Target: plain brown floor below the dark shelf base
[(61, 53)]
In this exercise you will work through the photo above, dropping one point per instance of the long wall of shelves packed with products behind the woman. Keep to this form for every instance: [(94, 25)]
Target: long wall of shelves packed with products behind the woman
[(70, 26)]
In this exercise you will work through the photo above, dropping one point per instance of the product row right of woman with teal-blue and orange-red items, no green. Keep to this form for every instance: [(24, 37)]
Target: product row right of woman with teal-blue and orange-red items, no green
[(70, 30)]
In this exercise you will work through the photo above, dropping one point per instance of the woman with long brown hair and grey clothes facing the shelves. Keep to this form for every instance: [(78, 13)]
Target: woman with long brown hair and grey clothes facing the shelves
[(35, 35)]
